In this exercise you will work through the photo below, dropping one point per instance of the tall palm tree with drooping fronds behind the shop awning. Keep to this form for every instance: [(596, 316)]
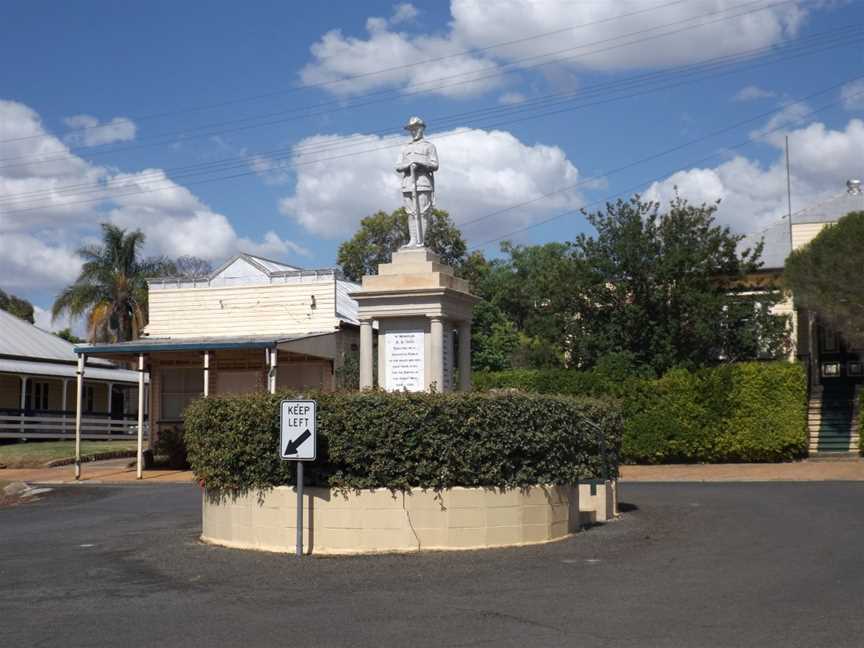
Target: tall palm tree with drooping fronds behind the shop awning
[(111, 291)]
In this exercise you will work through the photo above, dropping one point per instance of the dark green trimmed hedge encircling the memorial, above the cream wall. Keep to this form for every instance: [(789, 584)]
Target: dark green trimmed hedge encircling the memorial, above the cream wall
[(400, 441)]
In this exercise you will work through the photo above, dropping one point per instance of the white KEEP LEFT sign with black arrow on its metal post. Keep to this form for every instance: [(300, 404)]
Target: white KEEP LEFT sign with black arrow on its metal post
[(298, 441)]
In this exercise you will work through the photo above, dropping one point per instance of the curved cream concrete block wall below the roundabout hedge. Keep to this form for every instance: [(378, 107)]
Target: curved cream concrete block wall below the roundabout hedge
[(381, 521)]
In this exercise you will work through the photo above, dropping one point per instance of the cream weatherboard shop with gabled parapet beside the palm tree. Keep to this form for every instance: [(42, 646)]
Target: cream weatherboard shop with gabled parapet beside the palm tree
[(252, 325)]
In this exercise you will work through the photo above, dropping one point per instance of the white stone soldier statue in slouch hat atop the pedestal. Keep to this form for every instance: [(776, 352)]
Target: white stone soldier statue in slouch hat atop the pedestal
[(418, 162)]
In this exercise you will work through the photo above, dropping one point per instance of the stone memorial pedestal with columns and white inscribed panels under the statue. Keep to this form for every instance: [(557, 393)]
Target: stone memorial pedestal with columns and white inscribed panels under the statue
[(419, 305)]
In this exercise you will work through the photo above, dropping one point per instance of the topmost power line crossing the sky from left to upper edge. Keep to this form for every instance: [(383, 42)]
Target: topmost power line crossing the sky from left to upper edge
[(347, 79)]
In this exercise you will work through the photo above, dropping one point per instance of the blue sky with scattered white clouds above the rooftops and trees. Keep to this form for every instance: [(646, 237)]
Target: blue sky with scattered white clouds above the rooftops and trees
[(273, 127)]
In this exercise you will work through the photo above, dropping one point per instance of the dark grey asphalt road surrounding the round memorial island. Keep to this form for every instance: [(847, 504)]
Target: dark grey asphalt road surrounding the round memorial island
[(769, 564)]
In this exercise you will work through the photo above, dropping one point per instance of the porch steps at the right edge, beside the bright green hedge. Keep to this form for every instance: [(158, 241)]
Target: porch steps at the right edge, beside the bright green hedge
[(833, 421)]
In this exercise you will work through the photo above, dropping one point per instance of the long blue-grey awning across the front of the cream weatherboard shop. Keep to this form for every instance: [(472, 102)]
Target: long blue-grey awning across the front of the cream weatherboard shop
[(156, 345)]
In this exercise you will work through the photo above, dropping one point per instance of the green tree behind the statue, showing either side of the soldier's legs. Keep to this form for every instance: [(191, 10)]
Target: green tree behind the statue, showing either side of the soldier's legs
[(382, 234)]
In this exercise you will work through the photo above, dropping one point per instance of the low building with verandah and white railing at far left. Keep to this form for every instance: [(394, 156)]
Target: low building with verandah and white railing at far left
[(37, 388)]
